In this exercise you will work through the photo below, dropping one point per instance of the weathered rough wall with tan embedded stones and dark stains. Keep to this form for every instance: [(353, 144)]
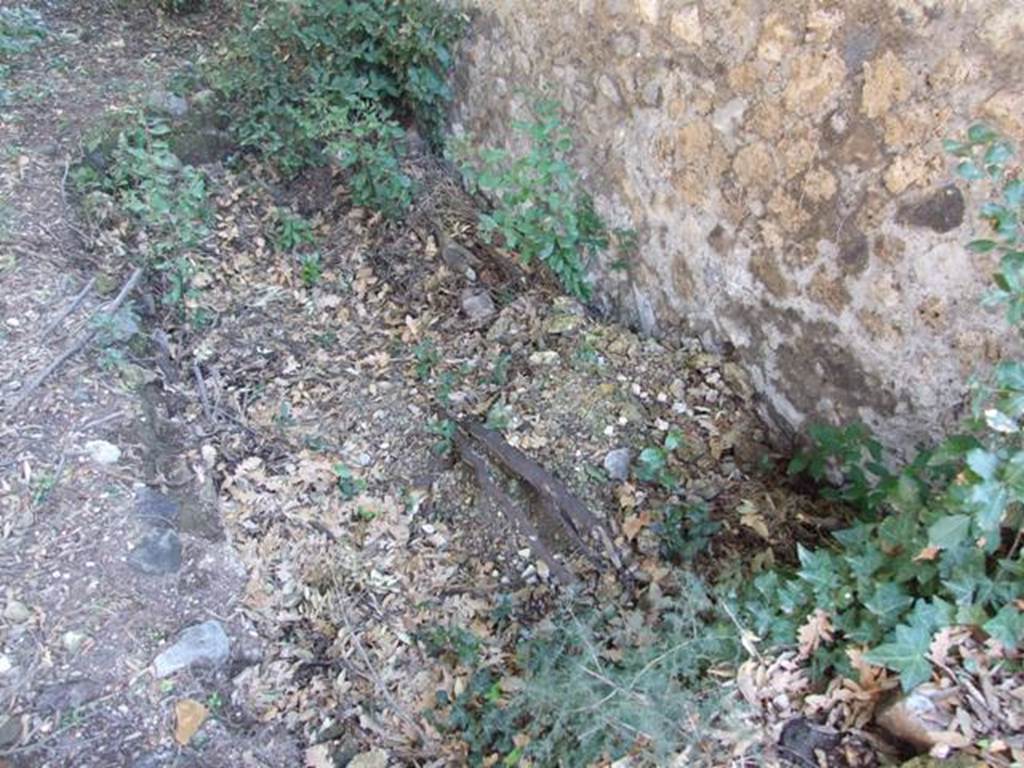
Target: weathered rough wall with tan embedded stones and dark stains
[(783, 164)]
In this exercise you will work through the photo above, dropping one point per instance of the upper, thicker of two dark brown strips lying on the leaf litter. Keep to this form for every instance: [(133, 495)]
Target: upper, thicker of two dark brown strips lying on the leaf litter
[(574, 514)]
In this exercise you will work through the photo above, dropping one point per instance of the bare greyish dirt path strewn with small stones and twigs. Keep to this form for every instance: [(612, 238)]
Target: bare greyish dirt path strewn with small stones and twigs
[(109, 545)]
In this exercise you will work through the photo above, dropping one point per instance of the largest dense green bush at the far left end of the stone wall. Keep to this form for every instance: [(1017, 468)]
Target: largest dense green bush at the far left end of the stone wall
[(315, 78)]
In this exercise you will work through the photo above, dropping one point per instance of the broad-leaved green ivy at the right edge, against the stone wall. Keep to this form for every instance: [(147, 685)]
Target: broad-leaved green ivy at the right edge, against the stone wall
[(938, 542)]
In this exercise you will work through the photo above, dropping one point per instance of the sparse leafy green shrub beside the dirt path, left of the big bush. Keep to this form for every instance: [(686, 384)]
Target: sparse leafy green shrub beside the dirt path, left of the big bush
[(166, 200)]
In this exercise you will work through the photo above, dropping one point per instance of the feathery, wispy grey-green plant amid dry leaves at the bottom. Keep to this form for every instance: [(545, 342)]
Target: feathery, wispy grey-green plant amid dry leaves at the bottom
[(598, 686)]
